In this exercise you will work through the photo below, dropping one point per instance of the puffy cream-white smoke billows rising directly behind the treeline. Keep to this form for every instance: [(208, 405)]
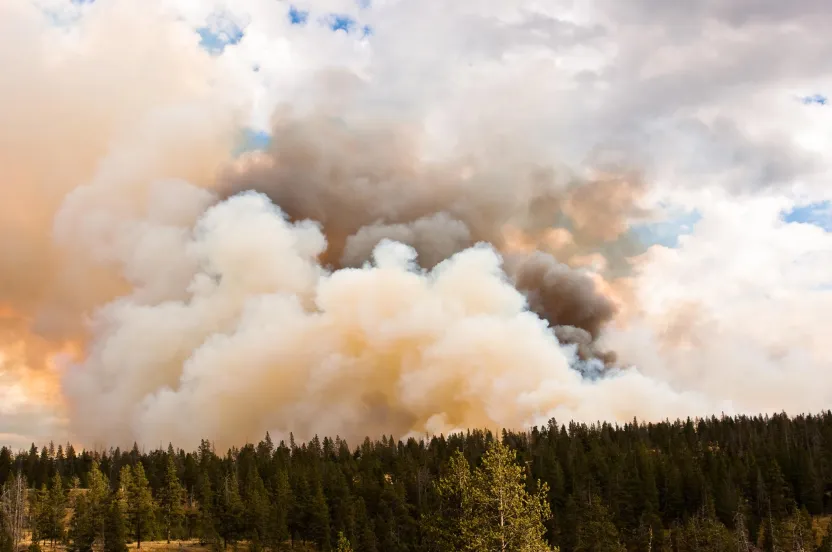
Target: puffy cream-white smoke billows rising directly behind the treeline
[(265, 337)]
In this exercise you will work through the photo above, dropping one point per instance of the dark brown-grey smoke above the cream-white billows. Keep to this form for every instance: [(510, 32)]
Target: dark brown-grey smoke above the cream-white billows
[(367, 181)]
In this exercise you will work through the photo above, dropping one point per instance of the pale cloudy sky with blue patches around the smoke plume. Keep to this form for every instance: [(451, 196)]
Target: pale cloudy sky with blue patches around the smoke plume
[(722, 105)]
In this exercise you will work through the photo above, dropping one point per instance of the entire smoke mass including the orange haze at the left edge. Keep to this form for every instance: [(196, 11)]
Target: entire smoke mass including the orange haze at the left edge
[(364, 291)]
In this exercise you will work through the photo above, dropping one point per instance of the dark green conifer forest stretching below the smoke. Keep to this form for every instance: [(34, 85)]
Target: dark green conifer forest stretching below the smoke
[(718, 484)]
